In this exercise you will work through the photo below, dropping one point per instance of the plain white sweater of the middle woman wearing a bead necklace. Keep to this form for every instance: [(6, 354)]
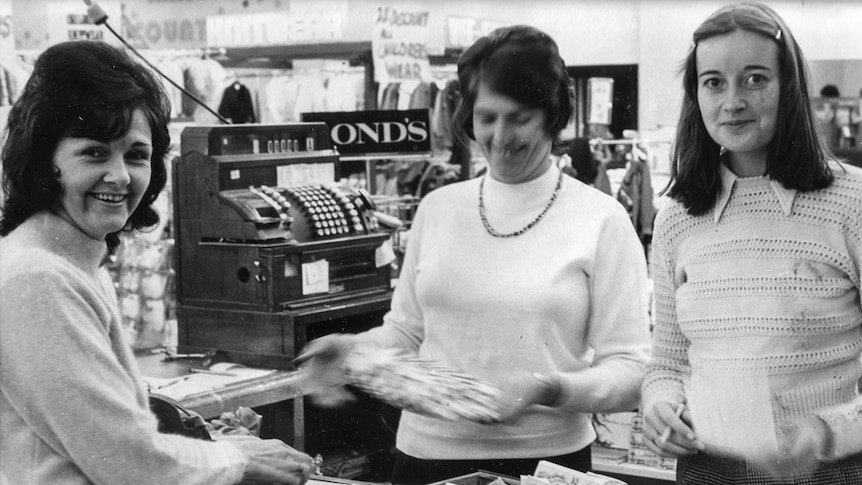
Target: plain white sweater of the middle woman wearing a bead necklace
[(565, 297)]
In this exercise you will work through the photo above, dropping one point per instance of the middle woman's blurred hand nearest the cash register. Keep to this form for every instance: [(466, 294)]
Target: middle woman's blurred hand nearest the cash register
[(322, 360)]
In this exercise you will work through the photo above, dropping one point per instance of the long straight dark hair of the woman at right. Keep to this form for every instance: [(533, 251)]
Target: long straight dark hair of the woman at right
[(796, 157)]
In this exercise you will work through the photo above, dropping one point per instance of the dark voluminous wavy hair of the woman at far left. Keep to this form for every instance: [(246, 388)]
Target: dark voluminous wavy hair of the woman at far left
[(81, 89)]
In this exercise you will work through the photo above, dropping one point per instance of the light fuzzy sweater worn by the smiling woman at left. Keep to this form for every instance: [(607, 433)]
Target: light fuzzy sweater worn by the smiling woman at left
[(72, 407)]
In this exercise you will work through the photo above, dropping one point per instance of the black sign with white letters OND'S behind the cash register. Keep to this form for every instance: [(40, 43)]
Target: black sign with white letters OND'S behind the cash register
[(369, 132)]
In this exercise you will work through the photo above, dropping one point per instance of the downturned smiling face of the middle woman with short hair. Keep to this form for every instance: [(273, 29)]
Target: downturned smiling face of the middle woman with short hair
[(511, 135)]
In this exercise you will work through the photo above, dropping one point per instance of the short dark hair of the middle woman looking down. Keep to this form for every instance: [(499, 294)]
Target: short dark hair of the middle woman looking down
[(524, 64)]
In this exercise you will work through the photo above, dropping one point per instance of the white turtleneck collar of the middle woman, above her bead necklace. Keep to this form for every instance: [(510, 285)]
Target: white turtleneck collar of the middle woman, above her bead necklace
[(526, 196)]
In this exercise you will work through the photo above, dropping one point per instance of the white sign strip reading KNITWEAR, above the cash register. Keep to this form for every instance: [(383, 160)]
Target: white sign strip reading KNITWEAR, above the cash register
[(274, 28)]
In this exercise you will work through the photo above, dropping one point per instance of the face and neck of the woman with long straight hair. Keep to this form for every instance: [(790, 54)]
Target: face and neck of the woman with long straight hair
[(738, 91)]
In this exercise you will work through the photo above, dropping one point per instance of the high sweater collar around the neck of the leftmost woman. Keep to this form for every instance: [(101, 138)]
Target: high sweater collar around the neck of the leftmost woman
[(67, 240)]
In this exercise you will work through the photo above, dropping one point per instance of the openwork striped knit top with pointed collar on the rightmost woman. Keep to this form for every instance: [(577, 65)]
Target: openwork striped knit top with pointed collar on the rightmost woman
[(758, 317)]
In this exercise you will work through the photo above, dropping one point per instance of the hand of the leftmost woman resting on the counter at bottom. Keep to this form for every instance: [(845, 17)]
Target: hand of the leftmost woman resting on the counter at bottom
[(271, 461)]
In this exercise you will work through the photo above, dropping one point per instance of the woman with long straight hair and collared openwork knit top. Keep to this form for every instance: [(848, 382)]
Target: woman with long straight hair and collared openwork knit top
[(757, 264)]
